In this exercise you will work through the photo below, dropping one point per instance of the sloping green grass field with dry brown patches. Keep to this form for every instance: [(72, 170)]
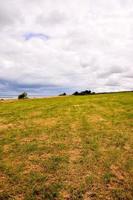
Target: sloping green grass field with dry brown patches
[(67, 148)]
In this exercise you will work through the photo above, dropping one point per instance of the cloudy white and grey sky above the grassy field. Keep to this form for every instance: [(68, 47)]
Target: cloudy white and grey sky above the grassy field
[(52, 46)]
